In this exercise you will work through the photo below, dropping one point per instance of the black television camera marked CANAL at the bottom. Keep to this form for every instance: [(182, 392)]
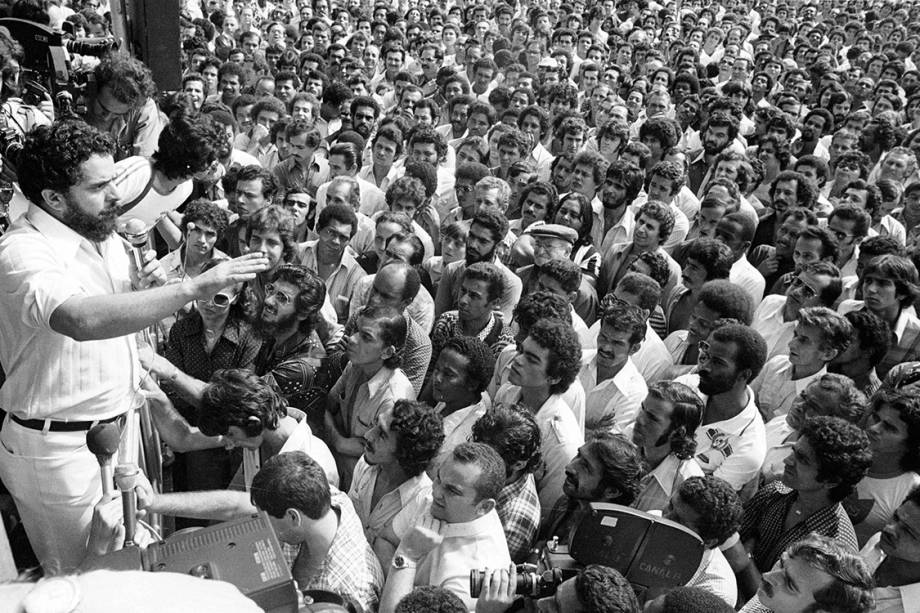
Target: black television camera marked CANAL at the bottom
[(652, 553)]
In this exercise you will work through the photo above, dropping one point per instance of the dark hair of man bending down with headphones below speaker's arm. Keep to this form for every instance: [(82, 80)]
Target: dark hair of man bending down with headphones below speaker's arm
[(238, 397)]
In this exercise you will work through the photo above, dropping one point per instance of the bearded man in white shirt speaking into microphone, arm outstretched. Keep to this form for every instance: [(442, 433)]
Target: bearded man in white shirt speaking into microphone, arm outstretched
[(66, 278)]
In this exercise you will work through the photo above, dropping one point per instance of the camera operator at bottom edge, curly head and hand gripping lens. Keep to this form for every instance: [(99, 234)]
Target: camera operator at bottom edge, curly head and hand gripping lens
[(596, 588)]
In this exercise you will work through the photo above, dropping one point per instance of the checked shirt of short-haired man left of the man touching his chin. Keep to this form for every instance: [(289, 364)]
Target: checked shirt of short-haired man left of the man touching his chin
[(350, 569)]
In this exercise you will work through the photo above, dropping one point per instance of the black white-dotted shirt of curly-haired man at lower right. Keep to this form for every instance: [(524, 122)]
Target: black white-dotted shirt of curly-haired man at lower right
[(765, 514)]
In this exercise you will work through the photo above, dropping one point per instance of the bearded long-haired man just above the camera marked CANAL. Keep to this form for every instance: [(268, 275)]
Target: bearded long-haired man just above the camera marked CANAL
[(605, 469)]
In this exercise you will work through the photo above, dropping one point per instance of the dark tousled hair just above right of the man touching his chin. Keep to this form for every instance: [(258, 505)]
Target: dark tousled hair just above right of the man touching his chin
[(513, 433)]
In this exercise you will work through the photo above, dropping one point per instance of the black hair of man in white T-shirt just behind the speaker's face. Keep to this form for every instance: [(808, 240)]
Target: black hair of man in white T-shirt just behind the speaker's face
[(187, 146)]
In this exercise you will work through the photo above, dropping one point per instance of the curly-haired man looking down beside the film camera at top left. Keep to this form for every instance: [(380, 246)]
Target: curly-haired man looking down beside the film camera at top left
[(123, 105)]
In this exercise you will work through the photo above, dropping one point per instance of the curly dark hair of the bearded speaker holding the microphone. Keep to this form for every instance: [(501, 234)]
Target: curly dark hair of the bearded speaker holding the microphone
[(53, 154)]
